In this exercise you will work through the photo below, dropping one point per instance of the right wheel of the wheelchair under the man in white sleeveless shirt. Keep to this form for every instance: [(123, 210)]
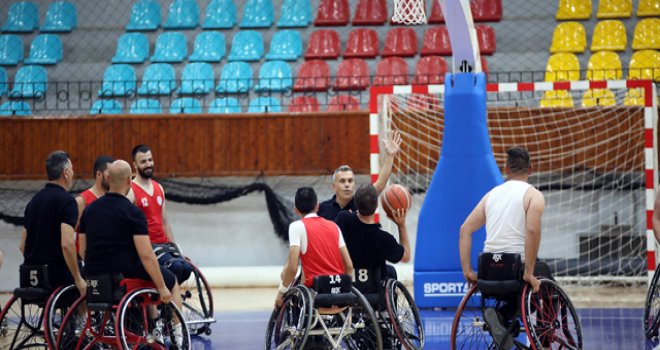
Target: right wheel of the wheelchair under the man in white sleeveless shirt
[(550, 318)]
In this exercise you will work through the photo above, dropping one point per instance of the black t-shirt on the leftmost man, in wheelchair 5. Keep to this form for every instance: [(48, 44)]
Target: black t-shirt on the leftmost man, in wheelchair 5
[(44, 215)]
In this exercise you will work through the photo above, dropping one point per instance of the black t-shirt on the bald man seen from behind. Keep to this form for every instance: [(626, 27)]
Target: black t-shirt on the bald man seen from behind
[(109, 224)]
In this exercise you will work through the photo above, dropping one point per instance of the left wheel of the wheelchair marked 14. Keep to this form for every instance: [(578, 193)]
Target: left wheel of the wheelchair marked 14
[(289, 324)]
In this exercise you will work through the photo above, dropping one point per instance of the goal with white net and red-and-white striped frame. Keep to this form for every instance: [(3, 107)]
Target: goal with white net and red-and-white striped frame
[(593, 151)]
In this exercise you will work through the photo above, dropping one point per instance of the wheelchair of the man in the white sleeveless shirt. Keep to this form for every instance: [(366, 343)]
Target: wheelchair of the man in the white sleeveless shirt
[(523, 319)]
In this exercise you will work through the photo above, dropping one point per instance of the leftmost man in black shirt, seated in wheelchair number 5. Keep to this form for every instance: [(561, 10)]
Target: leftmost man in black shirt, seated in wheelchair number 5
[(48, 237)]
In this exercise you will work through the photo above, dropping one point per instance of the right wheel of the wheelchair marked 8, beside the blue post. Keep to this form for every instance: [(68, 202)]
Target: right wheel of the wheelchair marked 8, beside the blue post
[(404, 315)]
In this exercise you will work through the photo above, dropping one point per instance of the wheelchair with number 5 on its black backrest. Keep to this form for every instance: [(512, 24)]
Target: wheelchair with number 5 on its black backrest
[(33, 314)]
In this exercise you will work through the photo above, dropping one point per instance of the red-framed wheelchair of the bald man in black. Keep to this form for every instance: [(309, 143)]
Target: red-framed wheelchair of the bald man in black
[(123, 314)]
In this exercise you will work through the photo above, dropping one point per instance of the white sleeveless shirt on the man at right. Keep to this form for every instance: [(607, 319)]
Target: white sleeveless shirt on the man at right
[(505, 218)]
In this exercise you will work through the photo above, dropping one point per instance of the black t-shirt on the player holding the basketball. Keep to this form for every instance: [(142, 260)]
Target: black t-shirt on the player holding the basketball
[(368, 245)]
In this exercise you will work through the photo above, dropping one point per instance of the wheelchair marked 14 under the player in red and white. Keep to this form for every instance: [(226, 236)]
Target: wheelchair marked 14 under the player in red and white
[(331, 315)]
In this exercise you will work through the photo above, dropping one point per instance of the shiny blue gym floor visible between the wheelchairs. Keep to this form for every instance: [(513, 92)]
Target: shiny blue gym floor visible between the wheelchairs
[(604, 329)]
